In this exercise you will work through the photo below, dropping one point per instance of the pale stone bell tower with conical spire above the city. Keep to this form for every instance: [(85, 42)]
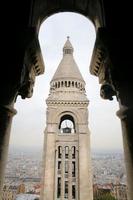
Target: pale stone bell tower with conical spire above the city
[(67, 163)]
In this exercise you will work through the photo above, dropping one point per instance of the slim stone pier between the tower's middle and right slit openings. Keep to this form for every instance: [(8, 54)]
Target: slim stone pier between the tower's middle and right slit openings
[(70, 175)]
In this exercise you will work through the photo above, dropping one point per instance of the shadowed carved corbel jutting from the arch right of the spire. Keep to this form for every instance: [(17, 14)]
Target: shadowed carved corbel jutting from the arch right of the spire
[(101, 65)]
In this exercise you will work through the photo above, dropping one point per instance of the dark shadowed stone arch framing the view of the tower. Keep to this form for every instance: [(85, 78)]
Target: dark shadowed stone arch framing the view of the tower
[(111, 60)]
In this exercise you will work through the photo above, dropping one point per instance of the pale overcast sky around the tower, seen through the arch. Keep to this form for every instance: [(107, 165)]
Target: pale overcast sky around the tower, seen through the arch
[(29, 123)]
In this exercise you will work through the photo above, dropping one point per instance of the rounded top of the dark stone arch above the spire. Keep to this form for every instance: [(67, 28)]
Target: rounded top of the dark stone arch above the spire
[(92, 10)]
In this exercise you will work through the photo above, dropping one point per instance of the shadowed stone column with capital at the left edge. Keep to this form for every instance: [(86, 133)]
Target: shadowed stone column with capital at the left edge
[(6, 114)]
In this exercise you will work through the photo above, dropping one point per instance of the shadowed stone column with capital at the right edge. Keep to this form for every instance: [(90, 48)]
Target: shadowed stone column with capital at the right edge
[(126, 116)]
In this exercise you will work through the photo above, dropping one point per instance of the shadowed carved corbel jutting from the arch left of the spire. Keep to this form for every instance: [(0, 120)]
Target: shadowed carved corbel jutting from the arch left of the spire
[(33, 66)]
